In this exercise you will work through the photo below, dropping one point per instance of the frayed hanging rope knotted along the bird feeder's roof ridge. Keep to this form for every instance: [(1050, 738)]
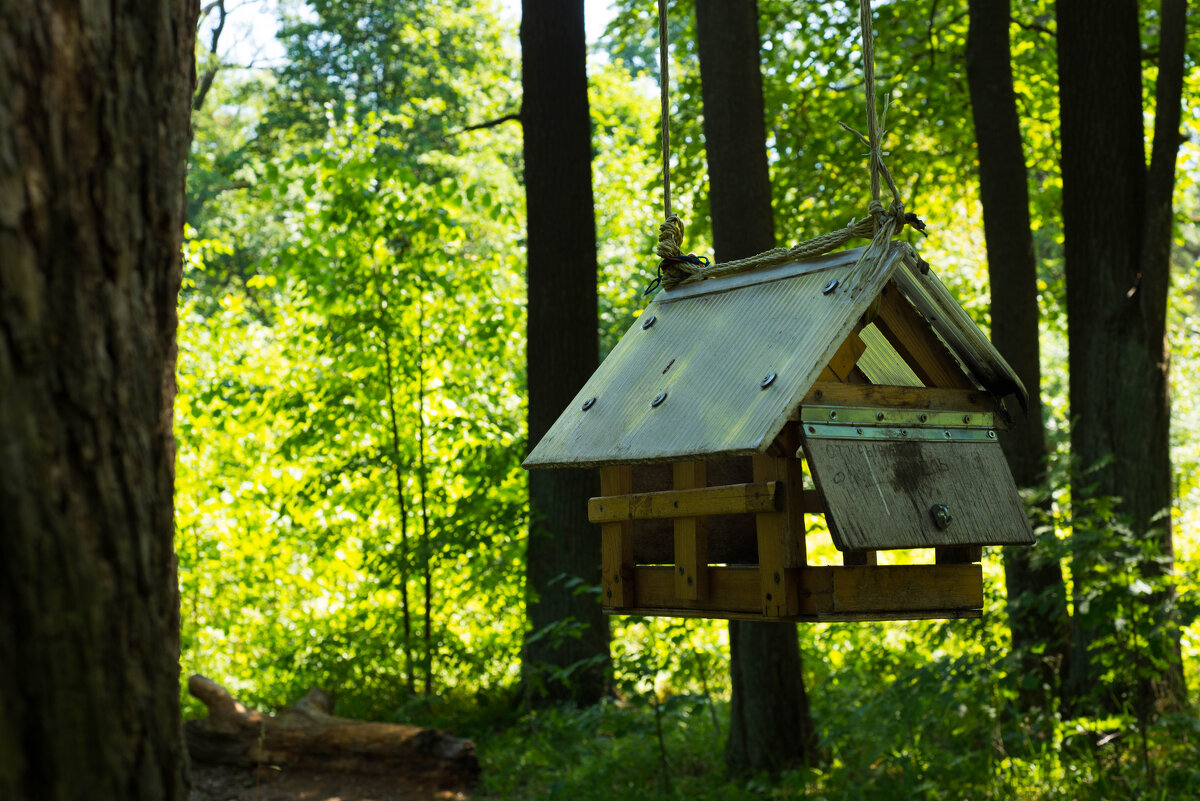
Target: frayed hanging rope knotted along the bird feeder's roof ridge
[(880, 225)]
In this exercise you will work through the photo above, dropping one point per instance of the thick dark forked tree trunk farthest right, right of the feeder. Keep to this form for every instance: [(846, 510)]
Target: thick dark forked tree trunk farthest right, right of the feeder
[(1118, 225)]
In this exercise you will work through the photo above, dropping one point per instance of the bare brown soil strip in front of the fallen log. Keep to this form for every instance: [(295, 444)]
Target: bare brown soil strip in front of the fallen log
[(226, 784)]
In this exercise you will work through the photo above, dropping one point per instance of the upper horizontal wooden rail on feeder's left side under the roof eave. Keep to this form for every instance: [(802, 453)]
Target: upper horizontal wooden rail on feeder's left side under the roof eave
[(729, 499)]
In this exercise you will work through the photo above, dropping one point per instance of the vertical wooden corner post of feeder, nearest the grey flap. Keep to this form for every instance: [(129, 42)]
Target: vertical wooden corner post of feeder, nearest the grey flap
[(781, 535)]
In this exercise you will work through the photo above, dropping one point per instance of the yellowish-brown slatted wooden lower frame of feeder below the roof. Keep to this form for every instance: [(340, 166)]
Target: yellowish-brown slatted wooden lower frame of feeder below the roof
[(782, 587)]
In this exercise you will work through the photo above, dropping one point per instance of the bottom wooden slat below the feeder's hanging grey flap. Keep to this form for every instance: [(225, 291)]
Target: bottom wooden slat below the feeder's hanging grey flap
[(893, 588)]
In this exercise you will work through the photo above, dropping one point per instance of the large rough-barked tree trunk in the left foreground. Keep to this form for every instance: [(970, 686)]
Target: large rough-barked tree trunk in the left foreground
[(94, 131)]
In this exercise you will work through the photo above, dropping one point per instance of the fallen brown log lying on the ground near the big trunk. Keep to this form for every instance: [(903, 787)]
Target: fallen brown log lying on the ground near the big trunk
[(308, 736)]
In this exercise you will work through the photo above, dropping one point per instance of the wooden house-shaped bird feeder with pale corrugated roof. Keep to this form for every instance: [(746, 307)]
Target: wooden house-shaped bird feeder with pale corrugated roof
[(727, 395)]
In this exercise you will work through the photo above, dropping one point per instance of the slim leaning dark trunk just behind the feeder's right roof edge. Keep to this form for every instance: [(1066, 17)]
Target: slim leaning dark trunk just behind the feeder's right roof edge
[(1037, 595)]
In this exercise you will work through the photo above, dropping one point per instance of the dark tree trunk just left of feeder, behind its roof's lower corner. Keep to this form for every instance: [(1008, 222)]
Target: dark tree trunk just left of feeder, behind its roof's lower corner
[(563, 351)]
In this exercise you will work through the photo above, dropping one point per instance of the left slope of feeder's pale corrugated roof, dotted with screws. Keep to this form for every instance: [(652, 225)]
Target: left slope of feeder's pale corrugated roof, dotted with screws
[(709, 351)]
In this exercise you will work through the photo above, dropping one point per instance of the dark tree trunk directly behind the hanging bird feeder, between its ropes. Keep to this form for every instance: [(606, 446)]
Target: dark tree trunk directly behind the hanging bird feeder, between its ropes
[(771, 726)]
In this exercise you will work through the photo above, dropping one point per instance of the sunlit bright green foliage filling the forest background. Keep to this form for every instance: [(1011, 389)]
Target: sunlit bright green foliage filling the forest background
[(351, 408)]
